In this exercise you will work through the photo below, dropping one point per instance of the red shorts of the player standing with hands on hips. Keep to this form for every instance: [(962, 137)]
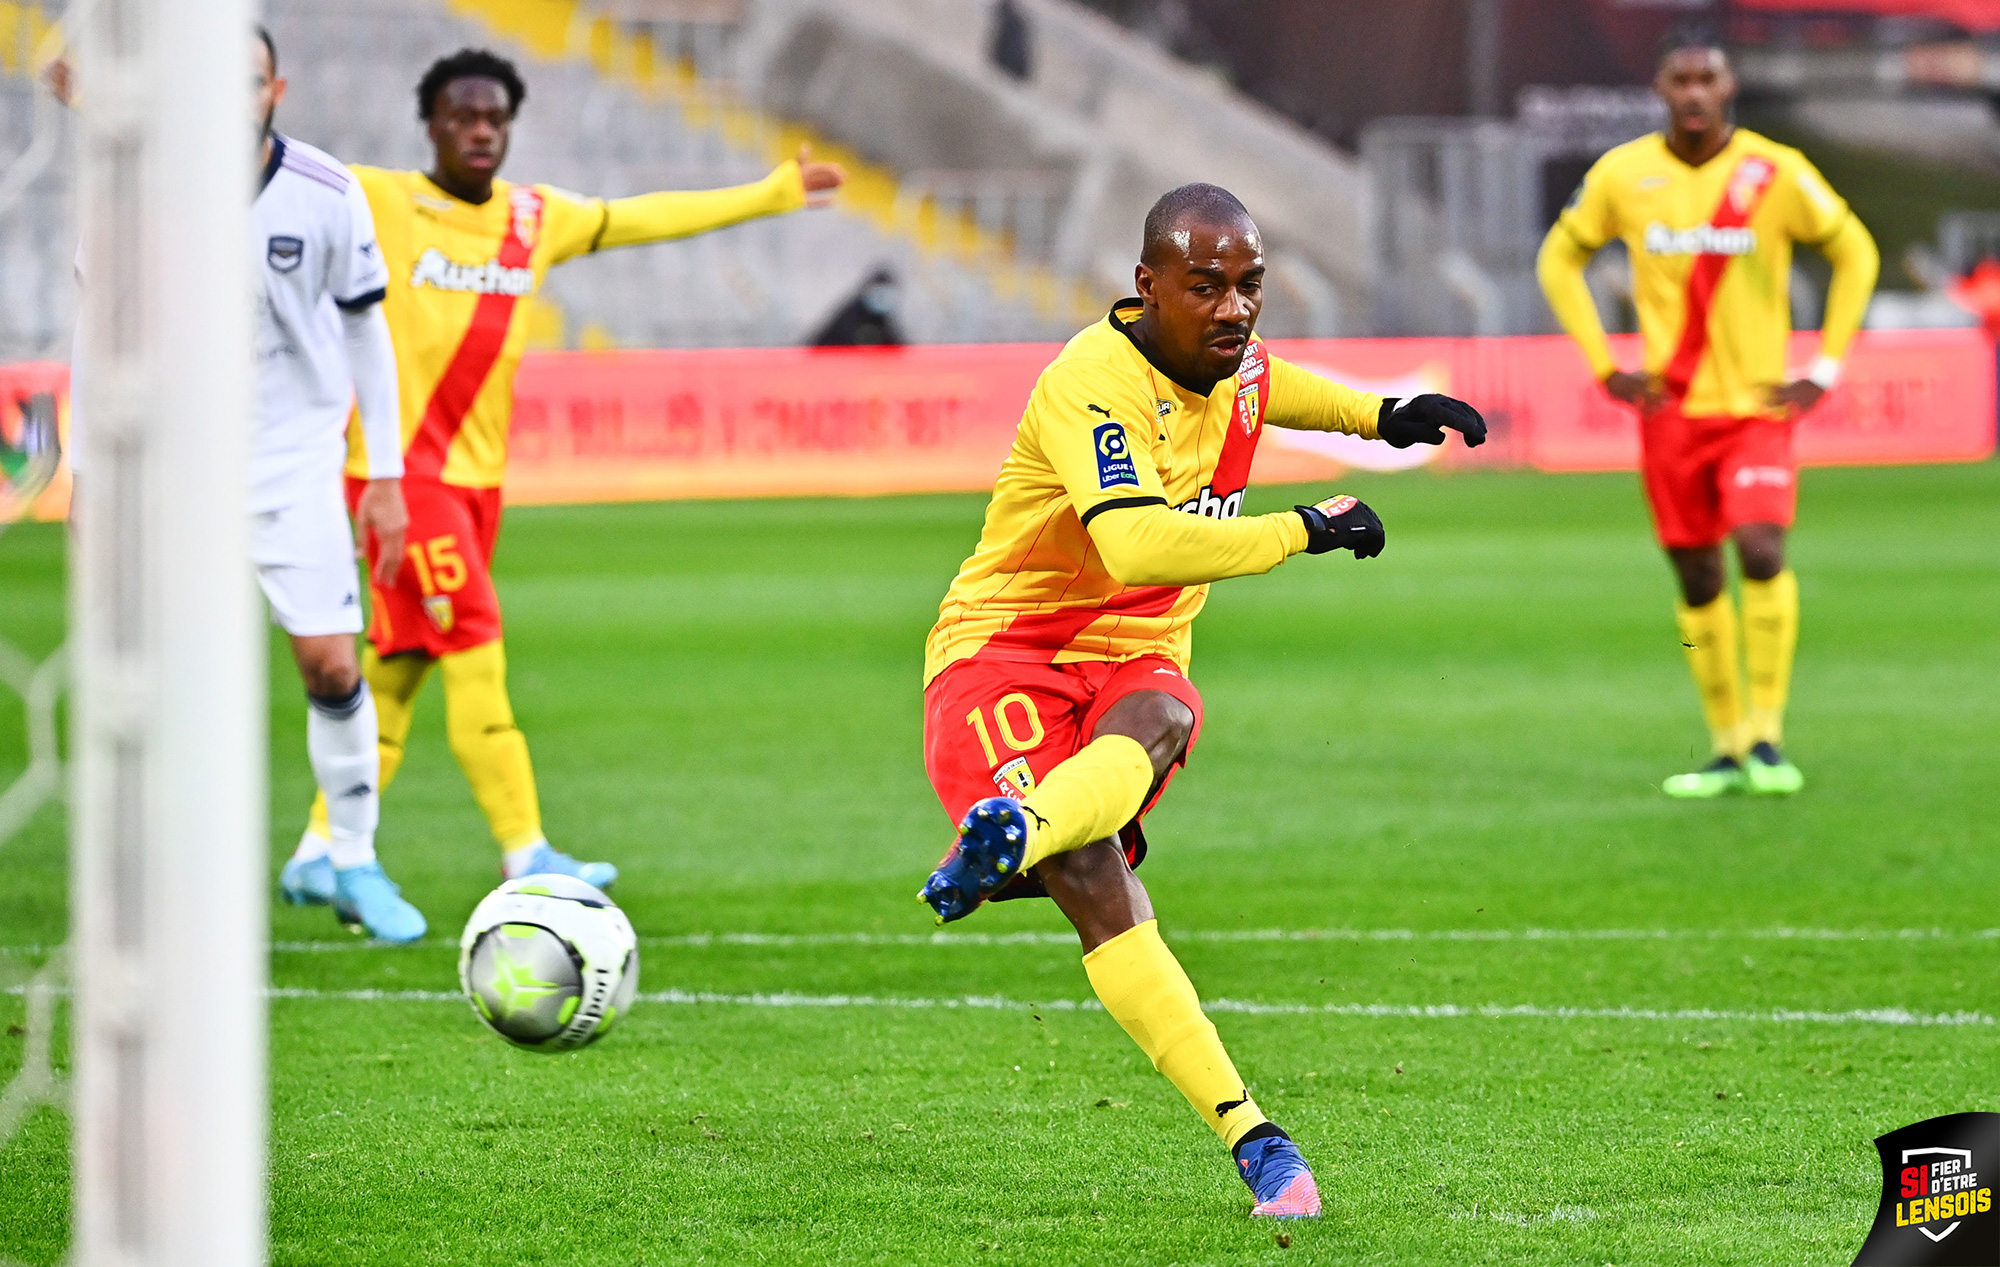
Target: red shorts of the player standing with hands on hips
[(1709, 477)]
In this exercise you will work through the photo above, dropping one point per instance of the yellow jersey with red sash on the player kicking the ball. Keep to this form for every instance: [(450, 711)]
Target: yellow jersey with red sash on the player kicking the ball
[(1109, 431)]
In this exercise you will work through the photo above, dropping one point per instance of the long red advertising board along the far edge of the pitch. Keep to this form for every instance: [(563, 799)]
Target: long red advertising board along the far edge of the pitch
[(751, 423)]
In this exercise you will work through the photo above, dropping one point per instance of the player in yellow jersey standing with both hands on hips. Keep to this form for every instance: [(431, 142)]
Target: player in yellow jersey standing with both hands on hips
[(1709, 215)]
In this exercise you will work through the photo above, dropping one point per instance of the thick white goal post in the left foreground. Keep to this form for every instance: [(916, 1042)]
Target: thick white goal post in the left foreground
[(169, 806)]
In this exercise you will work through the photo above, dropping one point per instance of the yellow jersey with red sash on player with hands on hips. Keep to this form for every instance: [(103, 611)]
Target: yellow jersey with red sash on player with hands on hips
[(1711, 261)]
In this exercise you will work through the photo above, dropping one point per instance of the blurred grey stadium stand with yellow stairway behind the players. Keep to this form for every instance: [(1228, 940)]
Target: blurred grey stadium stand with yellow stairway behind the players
[(999, 205)]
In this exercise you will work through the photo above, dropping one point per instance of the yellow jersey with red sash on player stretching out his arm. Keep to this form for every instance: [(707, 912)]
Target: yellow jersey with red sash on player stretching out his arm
[(459, 275)]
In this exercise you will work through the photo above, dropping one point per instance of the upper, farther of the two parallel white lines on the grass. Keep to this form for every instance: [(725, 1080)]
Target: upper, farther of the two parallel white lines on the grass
[(1069, 940)]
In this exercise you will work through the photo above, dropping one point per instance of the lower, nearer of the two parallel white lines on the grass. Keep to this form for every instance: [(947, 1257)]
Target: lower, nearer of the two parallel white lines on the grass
[(1417, 1012)]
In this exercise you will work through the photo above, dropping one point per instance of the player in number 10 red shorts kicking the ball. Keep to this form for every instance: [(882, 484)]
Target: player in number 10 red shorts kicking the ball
[(1057, 670)]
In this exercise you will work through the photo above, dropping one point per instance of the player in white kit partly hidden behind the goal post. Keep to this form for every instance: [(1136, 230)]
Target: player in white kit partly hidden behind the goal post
[(321, 347)]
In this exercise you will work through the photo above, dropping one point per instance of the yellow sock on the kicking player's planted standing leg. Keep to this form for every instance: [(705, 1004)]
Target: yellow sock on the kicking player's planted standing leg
[(1147, 992)]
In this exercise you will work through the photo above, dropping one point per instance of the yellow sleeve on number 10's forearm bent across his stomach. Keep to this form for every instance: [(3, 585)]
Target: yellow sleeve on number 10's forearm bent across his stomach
[(1159, 547)]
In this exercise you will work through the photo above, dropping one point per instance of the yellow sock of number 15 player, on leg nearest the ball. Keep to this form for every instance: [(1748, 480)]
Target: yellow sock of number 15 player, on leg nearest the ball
[(489, 746)]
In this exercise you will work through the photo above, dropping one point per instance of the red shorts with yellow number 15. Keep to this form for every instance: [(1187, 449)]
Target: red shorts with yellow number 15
[(443, 599)]
